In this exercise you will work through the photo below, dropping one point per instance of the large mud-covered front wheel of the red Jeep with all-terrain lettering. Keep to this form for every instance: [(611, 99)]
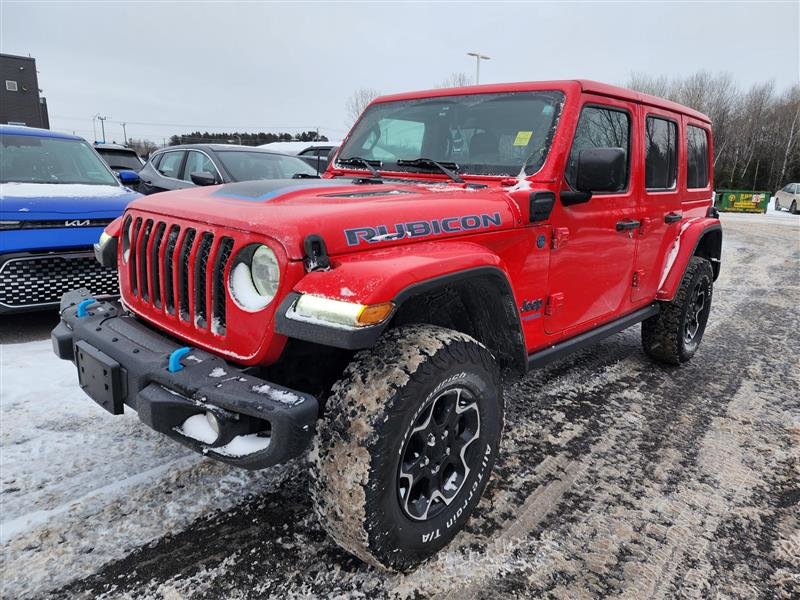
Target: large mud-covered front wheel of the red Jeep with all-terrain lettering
[(372, 419)]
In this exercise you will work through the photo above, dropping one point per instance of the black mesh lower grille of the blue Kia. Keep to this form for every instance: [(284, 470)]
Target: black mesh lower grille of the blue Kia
[(39, 280)]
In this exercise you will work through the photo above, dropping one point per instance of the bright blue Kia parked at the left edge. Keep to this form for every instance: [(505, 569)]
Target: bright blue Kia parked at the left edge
[(56, 196)]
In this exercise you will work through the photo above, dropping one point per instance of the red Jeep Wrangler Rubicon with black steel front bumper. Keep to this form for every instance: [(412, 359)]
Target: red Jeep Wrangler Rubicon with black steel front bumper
[(457, 235)]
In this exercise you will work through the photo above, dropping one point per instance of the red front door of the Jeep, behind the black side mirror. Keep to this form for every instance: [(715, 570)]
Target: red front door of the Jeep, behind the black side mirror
[(591, 264)]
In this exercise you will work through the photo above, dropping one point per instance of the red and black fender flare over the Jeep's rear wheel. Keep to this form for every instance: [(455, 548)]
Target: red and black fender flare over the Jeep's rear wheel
[(701, 237)]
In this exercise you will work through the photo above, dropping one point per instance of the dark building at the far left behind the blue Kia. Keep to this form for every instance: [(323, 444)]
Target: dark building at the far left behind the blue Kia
[(20, 102)]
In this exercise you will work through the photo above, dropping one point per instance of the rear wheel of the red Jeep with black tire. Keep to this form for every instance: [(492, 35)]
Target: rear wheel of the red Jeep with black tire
[(665, 336)]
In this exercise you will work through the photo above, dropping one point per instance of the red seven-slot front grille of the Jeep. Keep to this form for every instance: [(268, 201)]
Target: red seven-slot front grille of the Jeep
[(180, 269)]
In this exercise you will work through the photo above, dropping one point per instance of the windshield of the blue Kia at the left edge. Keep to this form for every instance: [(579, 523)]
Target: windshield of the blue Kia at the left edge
[(29, 159)]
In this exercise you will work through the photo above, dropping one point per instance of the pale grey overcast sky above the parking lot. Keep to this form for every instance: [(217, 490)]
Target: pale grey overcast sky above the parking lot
[(173, 68)]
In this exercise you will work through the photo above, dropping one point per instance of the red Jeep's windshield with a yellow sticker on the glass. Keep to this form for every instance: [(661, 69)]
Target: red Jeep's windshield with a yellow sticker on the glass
[(483, 134)]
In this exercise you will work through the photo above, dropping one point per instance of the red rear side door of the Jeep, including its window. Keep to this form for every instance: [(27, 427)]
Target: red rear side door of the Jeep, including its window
[(660, 214)]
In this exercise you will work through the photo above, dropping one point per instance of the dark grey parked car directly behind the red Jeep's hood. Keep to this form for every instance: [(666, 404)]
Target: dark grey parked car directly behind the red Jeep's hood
[(178, 167)]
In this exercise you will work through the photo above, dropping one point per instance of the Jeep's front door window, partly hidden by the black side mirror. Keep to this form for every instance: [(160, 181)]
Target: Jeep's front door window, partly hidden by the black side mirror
[(600, 128)]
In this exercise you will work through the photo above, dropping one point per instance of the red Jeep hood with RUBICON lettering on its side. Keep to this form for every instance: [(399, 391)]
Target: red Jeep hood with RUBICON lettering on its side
[(349, 217)]
